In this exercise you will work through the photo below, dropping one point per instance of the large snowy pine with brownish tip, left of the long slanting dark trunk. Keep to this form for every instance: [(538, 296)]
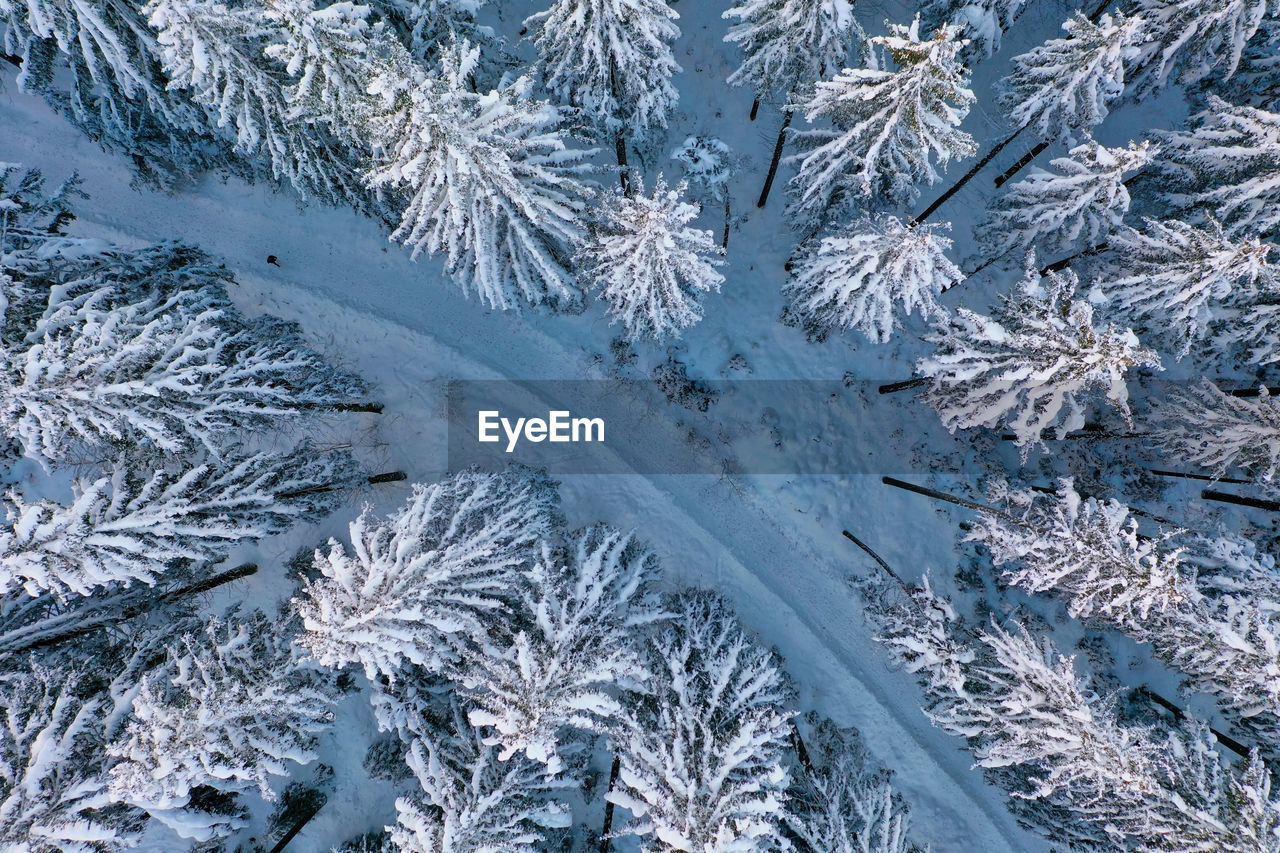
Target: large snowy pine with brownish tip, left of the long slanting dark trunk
[(890, 127)]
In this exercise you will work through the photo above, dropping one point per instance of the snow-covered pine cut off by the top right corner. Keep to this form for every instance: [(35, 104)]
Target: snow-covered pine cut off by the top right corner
[(1192, 39)]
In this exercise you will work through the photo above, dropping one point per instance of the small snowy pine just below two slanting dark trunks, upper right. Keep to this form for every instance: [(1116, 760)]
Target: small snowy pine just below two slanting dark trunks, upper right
[(1078, 207)]
